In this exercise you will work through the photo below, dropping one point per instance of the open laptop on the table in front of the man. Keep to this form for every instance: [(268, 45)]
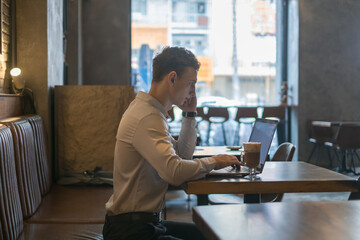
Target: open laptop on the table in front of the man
[(263, 131)]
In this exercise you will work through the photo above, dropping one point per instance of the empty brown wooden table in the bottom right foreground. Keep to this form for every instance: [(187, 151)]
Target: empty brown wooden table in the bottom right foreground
[(280, 221)]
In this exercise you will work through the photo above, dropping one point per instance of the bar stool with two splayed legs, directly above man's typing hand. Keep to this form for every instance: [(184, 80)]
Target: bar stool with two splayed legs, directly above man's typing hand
[(217, 115)]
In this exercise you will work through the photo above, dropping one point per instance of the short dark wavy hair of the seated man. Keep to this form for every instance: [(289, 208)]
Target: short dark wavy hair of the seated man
[(173, 59)]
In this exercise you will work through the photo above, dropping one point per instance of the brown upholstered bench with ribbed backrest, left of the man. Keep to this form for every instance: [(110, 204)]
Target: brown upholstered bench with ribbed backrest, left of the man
[(32, 206)]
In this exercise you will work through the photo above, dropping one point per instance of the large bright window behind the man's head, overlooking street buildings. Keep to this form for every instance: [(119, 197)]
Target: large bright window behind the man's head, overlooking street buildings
[(235, 41)]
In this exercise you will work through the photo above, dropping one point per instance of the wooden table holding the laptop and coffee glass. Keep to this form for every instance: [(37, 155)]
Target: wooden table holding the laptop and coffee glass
[(277, 177)]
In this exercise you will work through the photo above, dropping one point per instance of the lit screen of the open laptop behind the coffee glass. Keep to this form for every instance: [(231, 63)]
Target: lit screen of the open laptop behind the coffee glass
[(263, 131)]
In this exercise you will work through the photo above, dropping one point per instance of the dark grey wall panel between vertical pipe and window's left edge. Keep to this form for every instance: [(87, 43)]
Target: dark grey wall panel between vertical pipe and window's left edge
[(106, 42)]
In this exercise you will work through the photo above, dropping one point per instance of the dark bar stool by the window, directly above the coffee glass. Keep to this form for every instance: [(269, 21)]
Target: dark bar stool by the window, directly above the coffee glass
[(244, 115)]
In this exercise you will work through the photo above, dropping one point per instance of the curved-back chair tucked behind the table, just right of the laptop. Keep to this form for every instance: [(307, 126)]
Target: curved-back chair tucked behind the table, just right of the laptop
[(284, 152)]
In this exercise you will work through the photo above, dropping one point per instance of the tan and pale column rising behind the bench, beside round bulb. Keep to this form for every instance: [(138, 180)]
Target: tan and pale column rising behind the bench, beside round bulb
[(39, 41)]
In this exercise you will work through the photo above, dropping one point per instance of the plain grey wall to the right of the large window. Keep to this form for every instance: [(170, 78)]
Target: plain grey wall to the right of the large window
[(329, 60)]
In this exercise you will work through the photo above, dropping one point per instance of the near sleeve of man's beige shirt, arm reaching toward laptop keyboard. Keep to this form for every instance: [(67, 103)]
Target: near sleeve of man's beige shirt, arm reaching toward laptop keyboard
[(154, 143)]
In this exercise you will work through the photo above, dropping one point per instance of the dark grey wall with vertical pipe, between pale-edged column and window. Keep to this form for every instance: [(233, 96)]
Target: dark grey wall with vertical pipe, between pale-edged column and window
[(98, 42)]
